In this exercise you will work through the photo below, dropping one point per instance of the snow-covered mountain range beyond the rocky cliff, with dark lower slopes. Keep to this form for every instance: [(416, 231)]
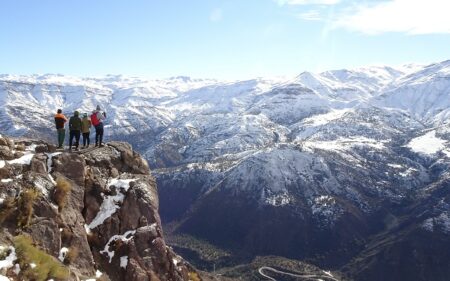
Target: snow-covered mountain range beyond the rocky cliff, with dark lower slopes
[(326, 159)]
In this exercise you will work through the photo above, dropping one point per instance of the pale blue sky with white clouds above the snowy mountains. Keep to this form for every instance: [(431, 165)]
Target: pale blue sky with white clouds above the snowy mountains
[(230, 39)]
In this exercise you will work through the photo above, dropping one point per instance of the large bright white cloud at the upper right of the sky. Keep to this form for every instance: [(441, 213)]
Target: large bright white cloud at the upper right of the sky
[(406, 16)]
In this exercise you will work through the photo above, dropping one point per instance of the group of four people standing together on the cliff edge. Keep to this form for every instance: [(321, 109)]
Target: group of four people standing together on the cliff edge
[(80, 127)]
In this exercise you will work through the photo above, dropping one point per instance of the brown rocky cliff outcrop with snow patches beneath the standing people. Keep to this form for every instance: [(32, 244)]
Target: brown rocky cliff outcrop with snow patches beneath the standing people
[(96, 210)]
